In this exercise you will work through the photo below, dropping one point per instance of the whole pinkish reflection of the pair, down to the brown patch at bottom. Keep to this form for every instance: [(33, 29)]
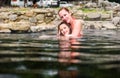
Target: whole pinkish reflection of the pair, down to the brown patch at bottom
[(68, 56)]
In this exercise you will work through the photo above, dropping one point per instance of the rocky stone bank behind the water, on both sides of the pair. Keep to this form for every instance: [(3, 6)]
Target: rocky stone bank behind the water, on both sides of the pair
[(37, 19)]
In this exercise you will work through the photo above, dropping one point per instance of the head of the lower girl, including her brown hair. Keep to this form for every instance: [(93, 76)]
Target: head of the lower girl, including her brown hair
[(64, 29)]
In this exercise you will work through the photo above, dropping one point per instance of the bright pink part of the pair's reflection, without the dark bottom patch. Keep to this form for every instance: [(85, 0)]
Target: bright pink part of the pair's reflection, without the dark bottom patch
[(67, 46)]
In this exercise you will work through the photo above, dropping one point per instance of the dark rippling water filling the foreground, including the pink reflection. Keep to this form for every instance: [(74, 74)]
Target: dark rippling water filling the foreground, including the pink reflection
[(37, 55)]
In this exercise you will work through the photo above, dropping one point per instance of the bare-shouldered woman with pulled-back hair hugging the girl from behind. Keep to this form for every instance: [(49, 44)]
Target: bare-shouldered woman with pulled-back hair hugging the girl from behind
[(75, 24)]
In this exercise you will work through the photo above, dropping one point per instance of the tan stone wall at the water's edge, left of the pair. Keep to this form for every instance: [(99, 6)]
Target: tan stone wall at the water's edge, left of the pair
[(26, 19)]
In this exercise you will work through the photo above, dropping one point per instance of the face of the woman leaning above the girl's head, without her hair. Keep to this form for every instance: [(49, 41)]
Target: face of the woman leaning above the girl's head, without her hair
[(65, 15)]
